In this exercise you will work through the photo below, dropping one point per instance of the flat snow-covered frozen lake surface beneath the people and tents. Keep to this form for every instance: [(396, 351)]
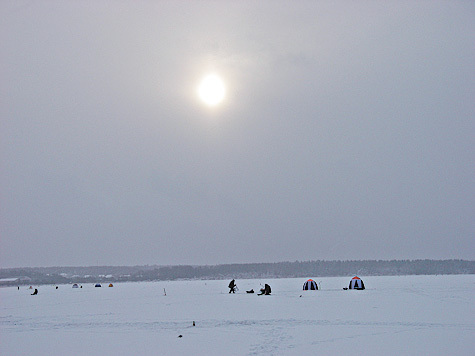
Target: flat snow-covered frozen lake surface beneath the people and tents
[(409, 315)]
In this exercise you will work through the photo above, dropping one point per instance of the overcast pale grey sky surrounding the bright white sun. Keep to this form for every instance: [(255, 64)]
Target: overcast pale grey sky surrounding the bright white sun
[(346, 132)]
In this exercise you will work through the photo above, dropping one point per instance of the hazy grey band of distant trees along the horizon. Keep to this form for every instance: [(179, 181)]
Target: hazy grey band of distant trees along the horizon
[(65, 275)]
